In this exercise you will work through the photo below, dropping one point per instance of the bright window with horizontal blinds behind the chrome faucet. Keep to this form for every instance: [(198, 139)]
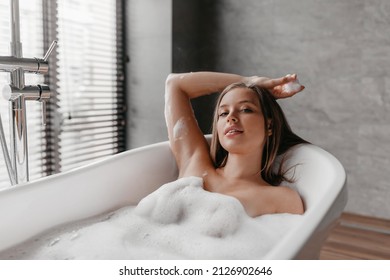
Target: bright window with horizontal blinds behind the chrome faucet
[(86, 112)]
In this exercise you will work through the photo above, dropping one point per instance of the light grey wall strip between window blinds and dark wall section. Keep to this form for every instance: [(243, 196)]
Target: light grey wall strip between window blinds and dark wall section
[(150, 51)]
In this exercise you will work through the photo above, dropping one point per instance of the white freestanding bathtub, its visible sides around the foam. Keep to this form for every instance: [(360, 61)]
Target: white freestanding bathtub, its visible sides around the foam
[(30, 209)]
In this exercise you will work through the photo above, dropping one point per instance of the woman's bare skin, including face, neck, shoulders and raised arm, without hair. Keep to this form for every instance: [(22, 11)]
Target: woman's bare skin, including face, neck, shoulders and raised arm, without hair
[(241, 132)]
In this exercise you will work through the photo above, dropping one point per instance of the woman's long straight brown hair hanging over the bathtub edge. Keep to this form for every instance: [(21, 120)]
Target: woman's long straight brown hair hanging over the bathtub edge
[(281, 139)]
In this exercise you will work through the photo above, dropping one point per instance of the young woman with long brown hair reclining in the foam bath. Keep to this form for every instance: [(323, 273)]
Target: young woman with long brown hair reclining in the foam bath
[(249, 131)]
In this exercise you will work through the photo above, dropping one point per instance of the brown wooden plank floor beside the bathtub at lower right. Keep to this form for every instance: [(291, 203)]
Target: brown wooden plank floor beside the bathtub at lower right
[(358, 237)]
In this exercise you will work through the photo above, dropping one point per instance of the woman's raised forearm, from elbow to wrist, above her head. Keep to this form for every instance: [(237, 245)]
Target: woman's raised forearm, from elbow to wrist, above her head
[(196, 84)]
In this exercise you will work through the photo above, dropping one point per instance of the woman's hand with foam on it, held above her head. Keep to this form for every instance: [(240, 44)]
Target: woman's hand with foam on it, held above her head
[(283, 87)]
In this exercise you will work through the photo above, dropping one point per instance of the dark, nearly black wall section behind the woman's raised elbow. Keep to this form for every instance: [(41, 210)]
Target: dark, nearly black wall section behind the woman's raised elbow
[(194, 47)]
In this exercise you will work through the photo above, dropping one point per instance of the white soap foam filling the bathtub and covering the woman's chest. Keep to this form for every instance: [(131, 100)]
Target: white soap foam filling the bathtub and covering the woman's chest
[(180, 220)]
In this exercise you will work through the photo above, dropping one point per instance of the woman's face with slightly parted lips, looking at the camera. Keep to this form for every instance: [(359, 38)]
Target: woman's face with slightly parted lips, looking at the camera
[(240, 124)]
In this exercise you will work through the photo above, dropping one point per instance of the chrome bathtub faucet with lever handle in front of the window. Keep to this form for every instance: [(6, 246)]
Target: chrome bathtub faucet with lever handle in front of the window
[(17, 93)]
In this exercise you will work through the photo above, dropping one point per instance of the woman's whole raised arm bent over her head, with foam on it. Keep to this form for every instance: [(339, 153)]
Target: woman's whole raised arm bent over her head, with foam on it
[(186, 139)]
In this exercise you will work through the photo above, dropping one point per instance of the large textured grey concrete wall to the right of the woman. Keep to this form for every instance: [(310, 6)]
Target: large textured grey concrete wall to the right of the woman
[(341, 51)]
